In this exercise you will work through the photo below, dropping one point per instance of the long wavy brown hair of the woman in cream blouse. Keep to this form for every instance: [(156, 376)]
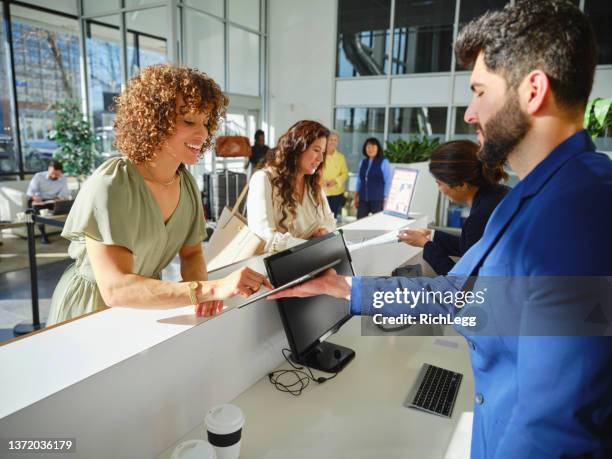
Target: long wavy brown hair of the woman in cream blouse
[(283, 161)]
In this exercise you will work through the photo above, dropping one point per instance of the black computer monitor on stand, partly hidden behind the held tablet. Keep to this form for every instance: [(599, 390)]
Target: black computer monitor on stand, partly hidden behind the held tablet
[(309, 321)]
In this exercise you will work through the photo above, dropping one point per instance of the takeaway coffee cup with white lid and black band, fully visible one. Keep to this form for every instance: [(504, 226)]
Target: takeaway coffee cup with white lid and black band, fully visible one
[(224, 429)]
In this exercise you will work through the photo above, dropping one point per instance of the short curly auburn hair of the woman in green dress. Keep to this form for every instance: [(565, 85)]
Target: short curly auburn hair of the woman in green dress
[(147, 108)]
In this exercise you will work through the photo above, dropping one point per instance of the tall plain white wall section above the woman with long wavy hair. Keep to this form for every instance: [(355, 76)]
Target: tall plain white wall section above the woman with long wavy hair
[(302, 53)]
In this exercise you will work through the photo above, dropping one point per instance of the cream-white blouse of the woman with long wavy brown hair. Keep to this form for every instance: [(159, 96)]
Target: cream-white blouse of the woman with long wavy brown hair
[(264, 214)]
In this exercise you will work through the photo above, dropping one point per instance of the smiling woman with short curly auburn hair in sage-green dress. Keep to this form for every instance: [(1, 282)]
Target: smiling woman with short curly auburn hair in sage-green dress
[(137, 211)]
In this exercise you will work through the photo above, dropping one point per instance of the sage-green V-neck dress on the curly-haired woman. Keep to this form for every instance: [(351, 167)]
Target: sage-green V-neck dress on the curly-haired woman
[(116, 207)]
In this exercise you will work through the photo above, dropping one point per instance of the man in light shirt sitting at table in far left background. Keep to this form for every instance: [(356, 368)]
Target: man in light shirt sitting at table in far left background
[(47, 185)]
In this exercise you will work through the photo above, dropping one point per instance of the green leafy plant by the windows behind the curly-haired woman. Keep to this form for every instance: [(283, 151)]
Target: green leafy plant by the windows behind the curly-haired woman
[(74, 137)]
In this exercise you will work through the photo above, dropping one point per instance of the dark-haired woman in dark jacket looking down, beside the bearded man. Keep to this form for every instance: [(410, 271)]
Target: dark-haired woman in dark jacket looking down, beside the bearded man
[(464, 179)]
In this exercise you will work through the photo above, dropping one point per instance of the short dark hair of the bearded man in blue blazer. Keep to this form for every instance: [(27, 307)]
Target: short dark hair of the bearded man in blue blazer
[(550, 35)]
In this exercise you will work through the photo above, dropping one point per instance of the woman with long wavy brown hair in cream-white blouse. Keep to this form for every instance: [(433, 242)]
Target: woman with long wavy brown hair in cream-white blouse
[(286, 204)]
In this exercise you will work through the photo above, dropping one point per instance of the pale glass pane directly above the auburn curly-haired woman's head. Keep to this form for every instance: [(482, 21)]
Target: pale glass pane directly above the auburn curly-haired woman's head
[(203, 44)]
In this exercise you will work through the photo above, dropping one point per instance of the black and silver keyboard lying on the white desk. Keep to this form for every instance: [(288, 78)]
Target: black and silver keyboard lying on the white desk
[(435, 390)]
